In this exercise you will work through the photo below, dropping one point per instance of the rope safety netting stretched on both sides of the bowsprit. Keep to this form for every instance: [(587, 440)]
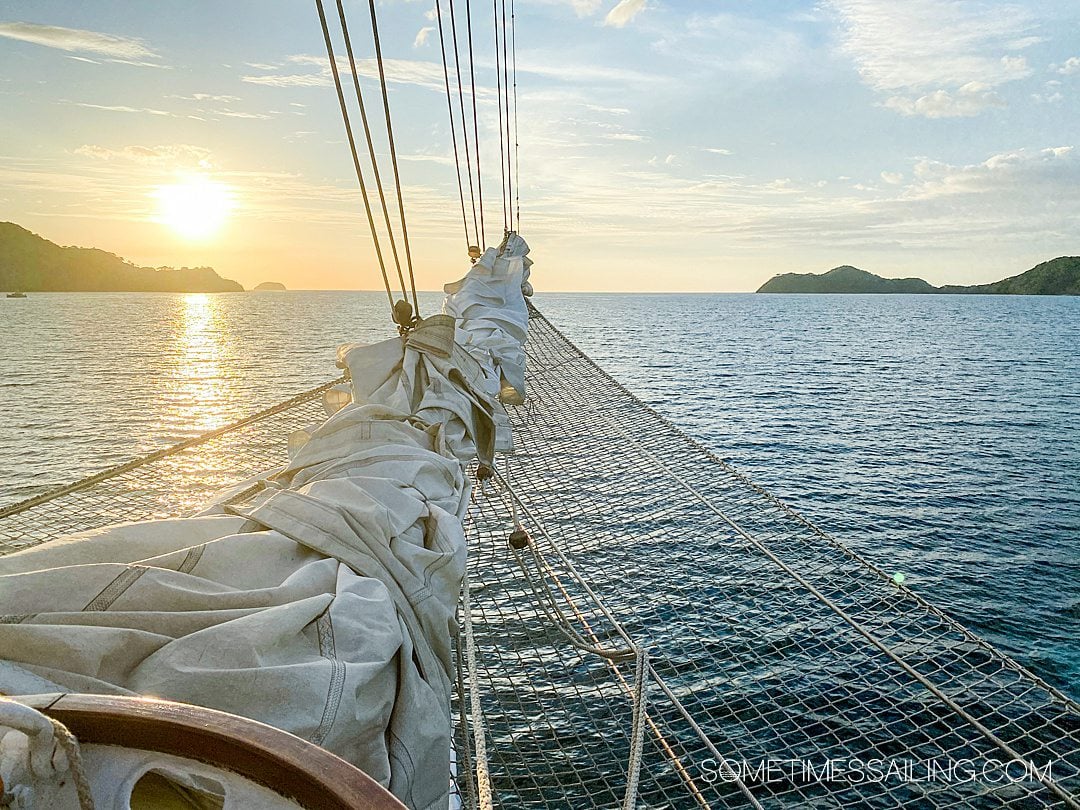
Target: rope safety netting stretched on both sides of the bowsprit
[(784, 670)]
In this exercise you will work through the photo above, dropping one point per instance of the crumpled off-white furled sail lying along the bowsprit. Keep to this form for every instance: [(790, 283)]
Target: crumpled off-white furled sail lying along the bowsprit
[(327, 606)]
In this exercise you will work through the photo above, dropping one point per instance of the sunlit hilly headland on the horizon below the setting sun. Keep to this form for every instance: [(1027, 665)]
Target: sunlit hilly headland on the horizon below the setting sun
[(31, 264)]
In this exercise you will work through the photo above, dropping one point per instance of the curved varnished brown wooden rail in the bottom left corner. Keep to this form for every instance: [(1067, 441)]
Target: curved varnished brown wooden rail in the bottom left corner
[(288, 765)]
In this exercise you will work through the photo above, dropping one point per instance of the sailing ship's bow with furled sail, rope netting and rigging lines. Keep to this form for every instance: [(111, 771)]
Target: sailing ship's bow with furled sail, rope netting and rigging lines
[(435, 583)]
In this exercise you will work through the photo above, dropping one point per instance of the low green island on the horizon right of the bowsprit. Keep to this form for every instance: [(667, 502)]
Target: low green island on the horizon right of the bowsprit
[(1057, 277)]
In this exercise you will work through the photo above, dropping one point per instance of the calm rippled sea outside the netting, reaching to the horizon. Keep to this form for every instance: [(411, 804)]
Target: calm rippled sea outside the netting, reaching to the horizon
[(939, 436)]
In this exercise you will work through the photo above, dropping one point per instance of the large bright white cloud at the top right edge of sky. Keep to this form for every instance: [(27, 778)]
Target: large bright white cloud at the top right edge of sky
[(936, 59)]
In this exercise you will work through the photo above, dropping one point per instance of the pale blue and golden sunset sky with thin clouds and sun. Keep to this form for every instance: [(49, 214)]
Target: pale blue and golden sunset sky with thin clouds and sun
[(664, 146)]
